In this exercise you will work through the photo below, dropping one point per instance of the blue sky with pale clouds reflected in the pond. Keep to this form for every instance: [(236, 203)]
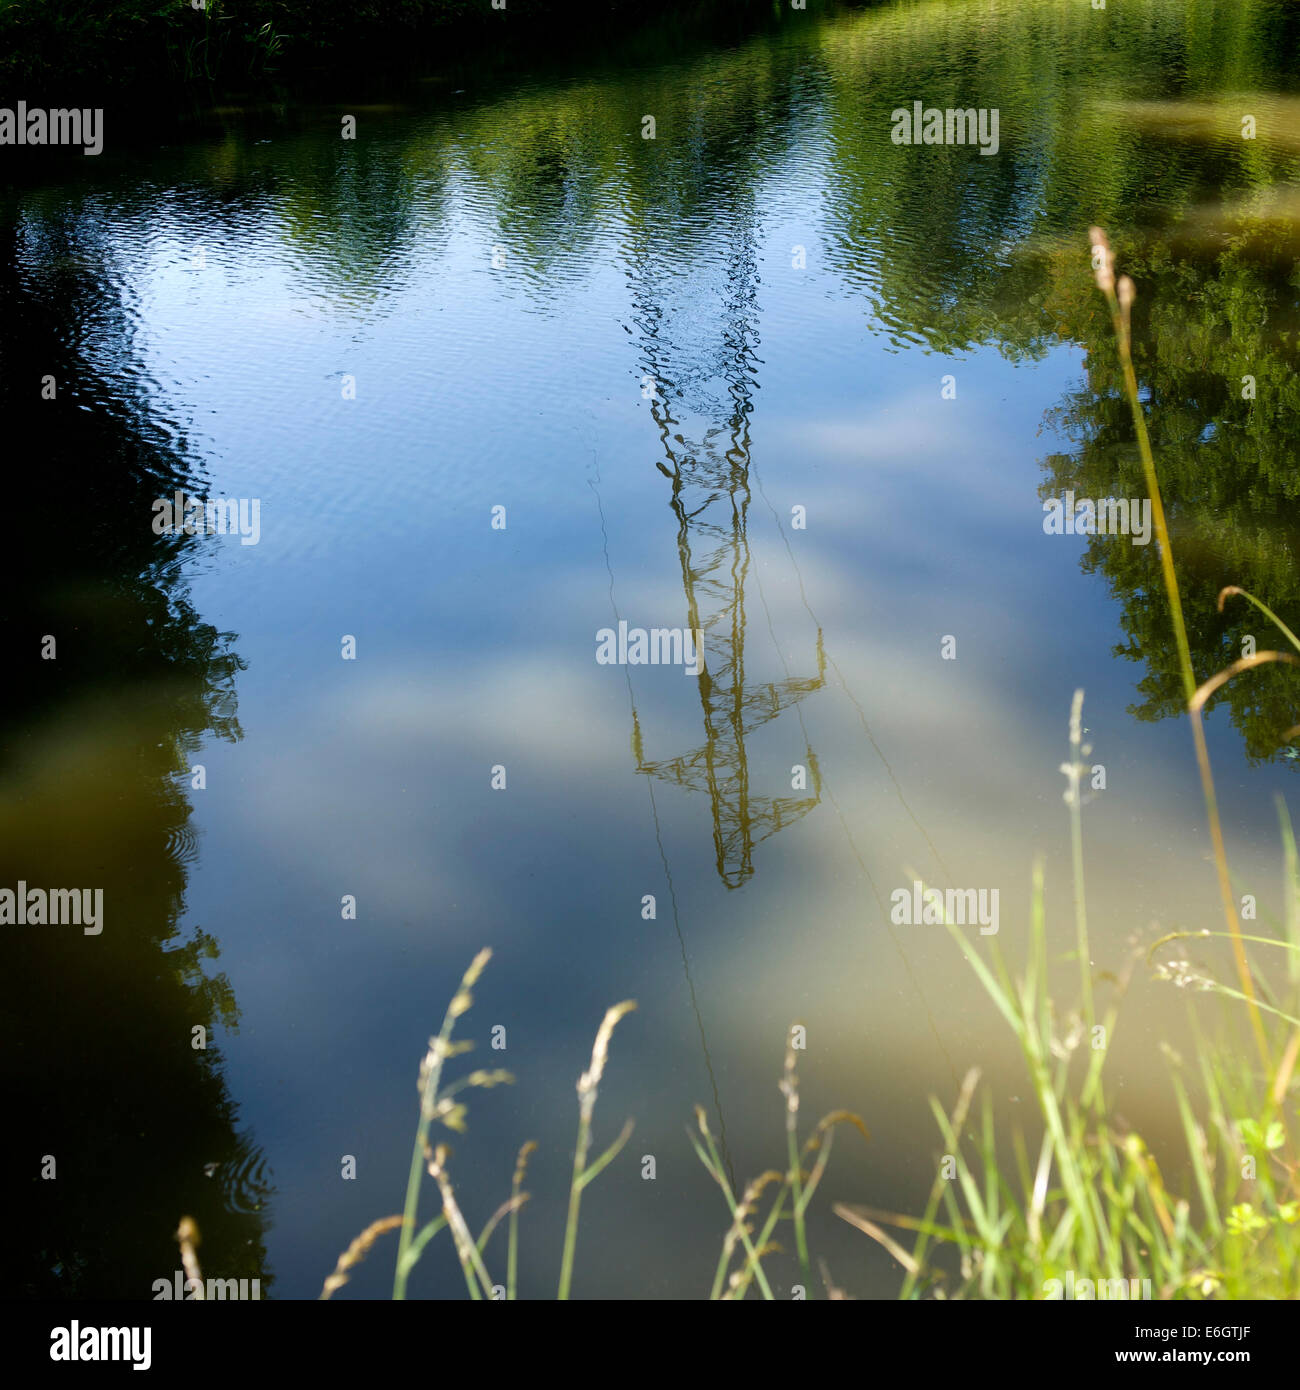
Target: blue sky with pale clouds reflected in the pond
[(258, 277)]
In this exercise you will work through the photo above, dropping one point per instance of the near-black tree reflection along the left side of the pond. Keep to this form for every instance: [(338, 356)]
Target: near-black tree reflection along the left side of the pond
[(101, 1074)]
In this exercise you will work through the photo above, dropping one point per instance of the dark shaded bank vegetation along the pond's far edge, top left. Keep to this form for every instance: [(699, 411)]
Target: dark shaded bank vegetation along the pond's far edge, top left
[(133, 52)]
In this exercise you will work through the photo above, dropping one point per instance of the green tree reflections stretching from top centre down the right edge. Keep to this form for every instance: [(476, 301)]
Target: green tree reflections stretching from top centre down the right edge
[(952, 251)]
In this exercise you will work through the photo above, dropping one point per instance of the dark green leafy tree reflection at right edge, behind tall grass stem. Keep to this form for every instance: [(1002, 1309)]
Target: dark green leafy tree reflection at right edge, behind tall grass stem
[(1216, 320)]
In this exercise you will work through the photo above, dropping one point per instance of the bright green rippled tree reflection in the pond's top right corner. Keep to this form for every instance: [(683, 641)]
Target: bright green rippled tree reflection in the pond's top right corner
[(934, 237)]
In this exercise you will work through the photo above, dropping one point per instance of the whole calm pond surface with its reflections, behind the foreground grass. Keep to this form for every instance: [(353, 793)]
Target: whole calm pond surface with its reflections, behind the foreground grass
[(658, 357)]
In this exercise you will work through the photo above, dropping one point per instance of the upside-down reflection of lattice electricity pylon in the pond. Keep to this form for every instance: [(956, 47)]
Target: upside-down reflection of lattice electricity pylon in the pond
[(711, 500)]
